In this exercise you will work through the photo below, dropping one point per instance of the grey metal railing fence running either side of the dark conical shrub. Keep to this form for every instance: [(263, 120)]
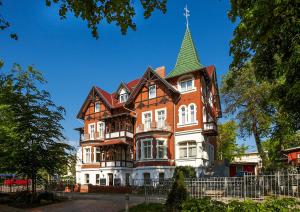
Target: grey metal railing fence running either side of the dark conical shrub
[(246, 187)]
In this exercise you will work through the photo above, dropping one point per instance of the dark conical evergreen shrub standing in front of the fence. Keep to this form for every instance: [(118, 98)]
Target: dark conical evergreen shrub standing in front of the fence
[(178, 193)]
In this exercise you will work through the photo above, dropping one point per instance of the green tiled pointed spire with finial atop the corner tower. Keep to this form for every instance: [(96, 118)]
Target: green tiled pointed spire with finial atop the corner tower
[(187, 59)]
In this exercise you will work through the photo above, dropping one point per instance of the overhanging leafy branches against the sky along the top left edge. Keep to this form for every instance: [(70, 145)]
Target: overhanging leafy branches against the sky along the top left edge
[(95, 12)]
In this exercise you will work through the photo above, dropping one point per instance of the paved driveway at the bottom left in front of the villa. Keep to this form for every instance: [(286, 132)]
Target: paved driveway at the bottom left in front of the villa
[(85, 203)]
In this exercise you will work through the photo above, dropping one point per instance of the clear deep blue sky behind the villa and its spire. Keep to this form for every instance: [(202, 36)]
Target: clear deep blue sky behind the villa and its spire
[(72, 61)]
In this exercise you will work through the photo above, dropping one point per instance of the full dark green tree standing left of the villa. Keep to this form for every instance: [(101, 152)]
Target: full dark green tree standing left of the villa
[(34, 142)]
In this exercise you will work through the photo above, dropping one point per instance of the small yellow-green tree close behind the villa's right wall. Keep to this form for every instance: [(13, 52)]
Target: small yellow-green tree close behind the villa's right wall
[(226, 141)]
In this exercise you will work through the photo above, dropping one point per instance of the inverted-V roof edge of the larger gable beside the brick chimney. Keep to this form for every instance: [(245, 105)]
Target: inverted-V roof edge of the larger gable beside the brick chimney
[(143, 80)]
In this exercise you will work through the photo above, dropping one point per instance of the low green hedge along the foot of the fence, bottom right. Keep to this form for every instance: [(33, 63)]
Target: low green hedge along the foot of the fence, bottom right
[(269, 205)]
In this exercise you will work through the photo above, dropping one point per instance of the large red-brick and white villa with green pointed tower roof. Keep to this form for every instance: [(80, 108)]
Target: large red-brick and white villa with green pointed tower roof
[(148, 126)]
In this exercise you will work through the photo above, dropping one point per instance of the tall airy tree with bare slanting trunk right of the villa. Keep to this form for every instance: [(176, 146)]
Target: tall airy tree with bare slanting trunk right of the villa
[(248, 101)]
